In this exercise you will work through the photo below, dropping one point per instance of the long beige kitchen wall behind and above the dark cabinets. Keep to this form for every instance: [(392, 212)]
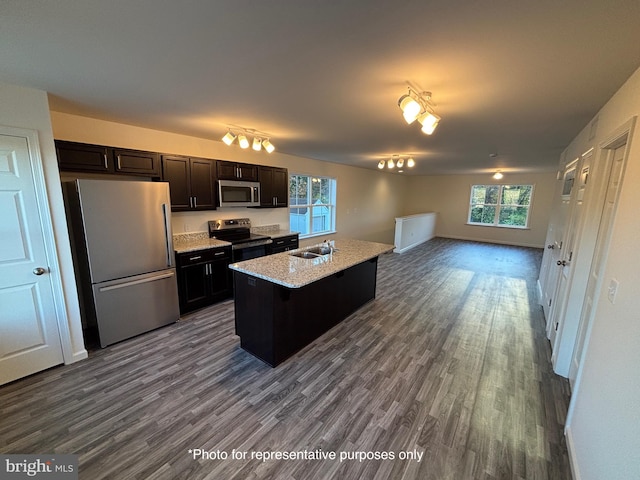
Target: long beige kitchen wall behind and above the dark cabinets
[(368, 200)]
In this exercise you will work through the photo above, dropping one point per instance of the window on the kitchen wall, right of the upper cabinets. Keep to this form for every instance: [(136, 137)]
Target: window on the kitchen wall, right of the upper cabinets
[(312, 205)]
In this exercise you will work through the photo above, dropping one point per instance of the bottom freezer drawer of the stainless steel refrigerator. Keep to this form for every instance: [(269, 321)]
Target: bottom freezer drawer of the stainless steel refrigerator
[(134, 305)]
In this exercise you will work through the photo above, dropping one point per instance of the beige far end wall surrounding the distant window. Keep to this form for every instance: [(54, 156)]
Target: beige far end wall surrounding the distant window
[(448, 195)]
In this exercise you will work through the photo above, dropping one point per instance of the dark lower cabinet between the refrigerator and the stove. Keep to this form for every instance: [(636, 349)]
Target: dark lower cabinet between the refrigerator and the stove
[(203, 278)]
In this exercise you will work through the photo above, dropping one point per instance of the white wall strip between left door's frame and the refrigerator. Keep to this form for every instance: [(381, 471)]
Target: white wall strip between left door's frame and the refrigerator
[(29, 109)]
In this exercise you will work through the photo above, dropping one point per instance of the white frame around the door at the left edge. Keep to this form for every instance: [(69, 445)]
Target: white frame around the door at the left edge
[(46, 222)]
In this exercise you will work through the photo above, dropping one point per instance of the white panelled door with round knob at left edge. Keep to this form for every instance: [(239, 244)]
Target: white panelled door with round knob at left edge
[(29, 334)]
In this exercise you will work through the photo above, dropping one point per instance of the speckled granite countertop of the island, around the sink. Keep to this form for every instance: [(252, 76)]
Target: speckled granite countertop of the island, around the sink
[(295, 272)]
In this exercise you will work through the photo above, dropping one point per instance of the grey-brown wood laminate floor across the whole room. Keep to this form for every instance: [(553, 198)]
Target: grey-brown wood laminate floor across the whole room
[(450, 362)]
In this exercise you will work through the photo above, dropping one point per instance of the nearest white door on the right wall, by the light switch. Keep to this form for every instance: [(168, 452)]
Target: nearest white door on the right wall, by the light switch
[(594, 283)]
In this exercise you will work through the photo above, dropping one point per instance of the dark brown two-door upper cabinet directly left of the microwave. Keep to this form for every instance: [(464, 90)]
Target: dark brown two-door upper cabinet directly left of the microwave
[(191, 182)]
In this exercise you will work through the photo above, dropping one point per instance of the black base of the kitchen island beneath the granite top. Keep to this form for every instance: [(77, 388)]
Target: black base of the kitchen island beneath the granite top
[(274, 322)]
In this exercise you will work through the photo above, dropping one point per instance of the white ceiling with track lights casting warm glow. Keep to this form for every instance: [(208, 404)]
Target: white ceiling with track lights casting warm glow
[(516, 78)]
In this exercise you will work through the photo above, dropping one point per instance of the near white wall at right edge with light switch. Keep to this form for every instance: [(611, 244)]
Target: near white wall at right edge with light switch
[(603, 431)]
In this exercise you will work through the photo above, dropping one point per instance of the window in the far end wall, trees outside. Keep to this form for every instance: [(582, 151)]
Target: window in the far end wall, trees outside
[(500, 205)]
